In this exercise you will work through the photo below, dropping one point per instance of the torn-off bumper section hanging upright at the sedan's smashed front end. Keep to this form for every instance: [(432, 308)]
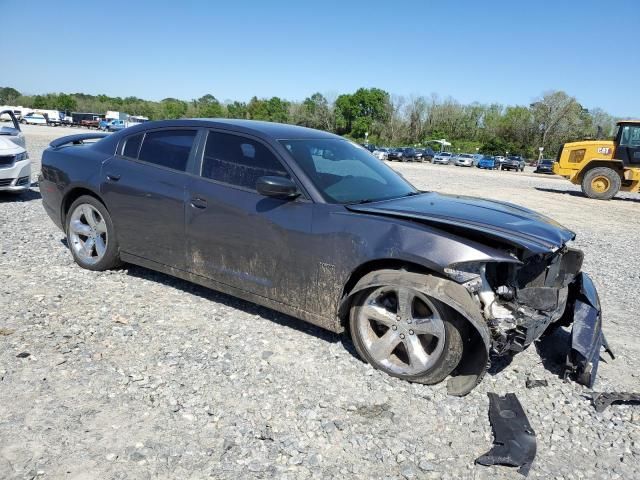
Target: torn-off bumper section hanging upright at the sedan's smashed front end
[(586, 336)]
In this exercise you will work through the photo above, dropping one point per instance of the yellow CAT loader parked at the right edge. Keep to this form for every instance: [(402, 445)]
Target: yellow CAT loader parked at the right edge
[(604, 167)]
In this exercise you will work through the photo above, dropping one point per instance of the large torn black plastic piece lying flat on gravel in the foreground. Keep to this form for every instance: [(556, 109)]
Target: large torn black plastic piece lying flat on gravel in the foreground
[(514, 439)]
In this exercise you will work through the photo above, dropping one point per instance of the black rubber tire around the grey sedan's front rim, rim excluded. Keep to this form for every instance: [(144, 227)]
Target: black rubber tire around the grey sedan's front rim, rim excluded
[(445, 364)]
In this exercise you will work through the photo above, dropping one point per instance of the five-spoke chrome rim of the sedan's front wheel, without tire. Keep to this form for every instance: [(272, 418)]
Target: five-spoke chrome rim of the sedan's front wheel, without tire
[(401, 330)]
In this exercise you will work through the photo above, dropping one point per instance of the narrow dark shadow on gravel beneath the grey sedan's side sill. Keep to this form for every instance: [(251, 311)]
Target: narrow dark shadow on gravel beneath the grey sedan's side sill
[(233, 302)]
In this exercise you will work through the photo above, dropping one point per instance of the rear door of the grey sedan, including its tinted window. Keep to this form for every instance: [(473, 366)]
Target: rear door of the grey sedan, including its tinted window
[(144, 186)]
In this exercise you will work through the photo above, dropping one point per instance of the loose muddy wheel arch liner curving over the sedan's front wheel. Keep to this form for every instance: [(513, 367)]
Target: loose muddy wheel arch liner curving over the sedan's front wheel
[(475, 357)]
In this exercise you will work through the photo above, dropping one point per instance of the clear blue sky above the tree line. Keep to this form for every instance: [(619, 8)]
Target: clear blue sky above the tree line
[(488, 51)]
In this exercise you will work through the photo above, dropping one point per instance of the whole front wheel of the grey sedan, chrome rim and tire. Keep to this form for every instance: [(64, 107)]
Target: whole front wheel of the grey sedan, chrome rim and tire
[(406, 333)]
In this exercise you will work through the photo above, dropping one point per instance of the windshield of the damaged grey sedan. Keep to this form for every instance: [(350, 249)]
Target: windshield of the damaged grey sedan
[(345, 173)]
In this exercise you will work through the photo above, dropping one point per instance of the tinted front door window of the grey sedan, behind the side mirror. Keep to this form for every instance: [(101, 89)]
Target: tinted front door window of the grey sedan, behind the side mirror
[(238, 160)]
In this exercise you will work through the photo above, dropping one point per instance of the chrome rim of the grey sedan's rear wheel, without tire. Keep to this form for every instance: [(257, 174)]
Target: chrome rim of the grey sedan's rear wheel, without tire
[(88, 233)]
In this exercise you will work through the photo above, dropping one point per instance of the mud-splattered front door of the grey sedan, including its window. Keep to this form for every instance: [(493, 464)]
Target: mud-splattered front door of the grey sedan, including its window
[(239, 237)]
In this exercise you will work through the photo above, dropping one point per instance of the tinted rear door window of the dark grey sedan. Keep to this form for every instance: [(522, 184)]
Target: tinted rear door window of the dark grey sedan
[(168, 148)]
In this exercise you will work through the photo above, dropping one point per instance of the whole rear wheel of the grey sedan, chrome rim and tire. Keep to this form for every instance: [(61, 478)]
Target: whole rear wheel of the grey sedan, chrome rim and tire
[(90, 235)]
